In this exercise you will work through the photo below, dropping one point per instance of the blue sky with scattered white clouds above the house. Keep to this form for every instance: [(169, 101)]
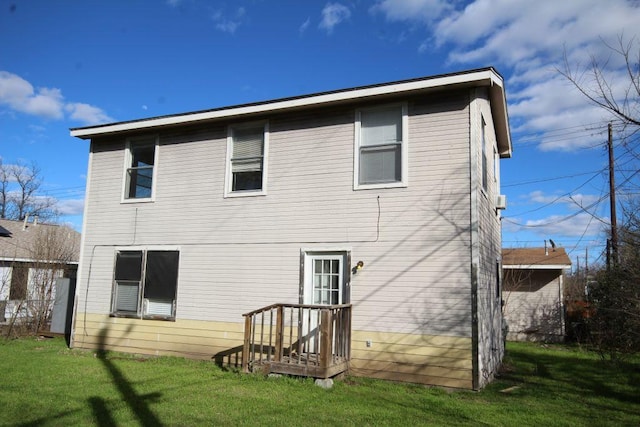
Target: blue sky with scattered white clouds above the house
[(73, 63)]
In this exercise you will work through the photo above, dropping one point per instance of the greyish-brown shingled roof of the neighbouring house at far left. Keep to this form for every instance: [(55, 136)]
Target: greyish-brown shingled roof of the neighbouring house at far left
[(17, 238)]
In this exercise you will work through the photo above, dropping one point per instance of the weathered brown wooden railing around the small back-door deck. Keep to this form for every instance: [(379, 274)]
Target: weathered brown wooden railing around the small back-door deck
[(298, 339)]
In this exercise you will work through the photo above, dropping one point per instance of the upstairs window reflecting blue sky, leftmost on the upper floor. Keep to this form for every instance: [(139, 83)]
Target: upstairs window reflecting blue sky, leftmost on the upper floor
[(139, 174)]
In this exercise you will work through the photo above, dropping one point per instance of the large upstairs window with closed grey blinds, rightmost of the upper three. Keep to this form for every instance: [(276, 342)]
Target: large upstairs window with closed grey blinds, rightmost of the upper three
[(381, 152)]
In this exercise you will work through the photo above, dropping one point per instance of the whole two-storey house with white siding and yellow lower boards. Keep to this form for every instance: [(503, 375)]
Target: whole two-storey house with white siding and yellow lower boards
[(382, 200)]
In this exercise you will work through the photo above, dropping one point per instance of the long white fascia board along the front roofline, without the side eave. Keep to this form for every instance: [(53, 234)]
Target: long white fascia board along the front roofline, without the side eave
[(485, 77)]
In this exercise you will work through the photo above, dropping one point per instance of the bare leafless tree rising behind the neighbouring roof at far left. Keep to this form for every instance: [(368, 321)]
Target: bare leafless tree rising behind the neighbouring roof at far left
[(20, 185)]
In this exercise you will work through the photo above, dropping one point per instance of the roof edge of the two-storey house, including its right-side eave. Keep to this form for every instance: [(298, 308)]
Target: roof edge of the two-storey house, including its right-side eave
[(484, 77)]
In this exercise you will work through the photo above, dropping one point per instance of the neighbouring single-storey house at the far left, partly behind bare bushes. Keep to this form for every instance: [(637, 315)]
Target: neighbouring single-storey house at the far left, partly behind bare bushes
[(32, 256)]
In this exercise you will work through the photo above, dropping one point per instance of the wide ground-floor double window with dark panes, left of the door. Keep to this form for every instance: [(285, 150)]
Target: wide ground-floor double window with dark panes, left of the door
[(145, 283)]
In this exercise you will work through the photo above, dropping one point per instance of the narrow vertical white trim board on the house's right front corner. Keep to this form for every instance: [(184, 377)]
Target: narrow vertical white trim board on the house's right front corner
[(474, 252)]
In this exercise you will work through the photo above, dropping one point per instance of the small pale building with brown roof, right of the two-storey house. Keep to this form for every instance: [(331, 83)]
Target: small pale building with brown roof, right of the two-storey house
[(533, 293)]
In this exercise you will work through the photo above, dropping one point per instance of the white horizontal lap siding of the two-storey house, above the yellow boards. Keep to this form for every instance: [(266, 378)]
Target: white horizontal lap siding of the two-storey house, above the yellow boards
[(239, 254)]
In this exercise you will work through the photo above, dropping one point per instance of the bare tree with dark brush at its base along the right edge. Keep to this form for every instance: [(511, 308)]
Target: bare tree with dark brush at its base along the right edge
[(613, 317)]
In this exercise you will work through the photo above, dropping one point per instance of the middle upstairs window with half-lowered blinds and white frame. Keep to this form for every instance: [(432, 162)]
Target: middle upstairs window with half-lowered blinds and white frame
[(246, 159)]
